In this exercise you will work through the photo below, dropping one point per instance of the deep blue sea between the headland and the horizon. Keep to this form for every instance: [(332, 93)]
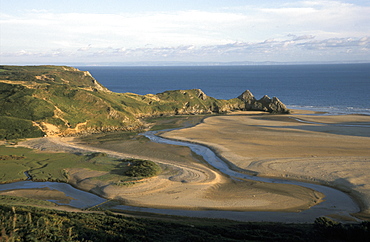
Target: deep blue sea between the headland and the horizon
[(330, 88)]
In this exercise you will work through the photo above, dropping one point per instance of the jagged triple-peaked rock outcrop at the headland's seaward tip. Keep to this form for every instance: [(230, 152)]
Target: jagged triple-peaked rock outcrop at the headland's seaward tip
[(265, 104)]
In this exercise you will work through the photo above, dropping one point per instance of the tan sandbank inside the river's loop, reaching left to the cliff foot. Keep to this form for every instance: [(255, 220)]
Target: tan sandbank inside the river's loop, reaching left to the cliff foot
[(186, 183)]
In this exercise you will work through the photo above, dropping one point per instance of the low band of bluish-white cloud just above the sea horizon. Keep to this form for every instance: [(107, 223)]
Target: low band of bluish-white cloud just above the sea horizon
[(290, 49)]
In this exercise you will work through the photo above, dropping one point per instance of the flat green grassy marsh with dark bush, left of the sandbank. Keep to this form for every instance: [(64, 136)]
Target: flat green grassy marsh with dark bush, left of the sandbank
[(14, 162)]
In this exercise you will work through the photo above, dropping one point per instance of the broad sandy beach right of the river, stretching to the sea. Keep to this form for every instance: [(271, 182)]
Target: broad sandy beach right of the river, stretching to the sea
[(333, 150)]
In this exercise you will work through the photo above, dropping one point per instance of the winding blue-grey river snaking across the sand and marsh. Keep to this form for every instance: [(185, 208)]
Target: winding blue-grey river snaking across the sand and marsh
[(335, 202)]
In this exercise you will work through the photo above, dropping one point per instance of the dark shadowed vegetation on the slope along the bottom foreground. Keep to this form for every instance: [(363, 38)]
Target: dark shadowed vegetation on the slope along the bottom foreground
[(21, 223)]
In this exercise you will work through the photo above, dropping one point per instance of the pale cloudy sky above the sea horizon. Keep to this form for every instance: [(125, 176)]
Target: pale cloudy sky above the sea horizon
[(124, 31)]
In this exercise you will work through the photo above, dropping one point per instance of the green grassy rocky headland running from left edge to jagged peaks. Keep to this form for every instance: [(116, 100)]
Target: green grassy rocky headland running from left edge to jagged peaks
[(54, 100)]
